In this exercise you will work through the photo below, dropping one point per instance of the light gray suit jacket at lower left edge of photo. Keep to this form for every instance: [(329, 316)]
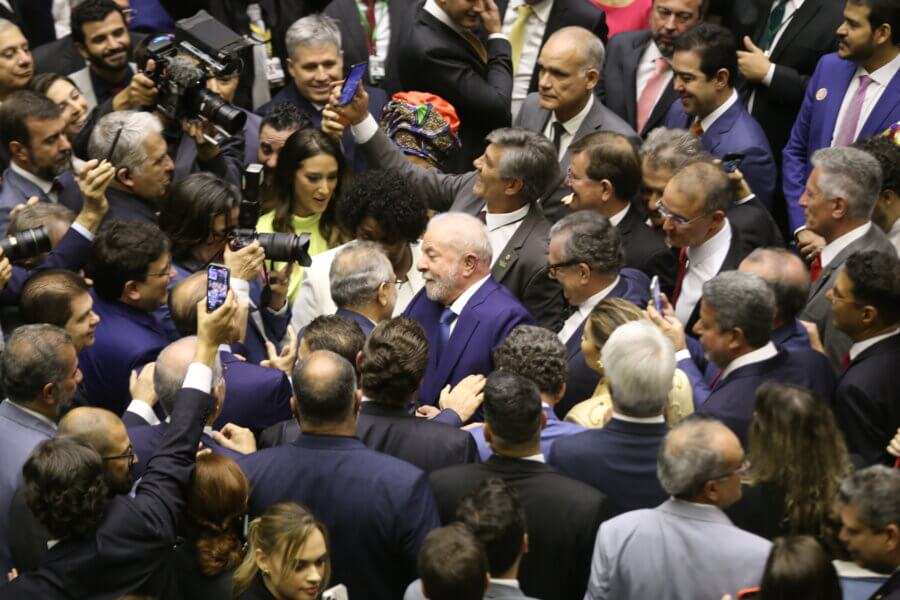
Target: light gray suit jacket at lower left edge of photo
[(20, 432)]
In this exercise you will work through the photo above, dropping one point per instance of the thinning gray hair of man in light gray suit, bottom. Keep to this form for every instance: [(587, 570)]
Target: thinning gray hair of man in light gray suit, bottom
[(683, 468)]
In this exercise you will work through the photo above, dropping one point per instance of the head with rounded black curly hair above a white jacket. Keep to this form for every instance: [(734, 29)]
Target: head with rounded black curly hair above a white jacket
[(382, 207)]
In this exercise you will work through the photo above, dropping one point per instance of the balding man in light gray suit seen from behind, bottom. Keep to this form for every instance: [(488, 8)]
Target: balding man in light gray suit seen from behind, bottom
[(641, 554)]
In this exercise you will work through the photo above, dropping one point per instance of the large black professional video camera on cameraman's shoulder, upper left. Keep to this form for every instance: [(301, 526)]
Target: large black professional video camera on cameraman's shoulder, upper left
[(182, 82)]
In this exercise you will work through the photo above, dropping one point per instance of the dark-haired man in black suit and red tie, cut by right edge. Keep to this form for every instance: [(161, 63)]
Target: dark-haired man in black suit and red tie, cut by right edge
[(865, 305)]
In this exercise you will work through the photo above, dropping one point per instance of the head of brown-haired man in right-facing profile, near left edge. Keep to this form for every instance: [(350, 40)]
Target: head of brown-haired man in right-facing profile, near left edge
[(61, 298)]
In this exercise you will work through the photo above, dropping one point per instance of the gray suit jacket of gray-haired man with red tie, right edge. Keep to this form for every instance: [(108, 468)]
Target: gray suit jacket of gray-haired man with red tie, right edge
[(818, 307)]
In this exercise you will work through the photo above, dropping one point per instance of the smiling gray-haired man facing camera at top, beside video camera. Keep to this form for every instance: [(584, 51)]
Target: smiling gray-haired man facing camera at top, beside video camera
[(315, 61)]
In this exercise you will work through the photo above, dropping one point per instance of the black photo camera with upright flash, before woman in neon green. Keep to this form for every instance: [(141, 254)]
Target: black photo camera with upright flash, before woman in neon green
[(280, 247)]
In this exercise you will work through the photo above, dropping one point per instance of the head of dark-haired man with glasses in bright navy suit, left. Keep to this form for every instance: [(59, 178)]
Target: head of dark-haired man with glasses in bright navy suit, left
[(131, 263)]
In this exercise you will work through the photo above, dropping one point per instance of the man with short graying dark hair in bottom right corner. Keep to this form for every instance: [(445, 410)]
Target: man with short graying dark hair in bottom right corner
[(870, 523)]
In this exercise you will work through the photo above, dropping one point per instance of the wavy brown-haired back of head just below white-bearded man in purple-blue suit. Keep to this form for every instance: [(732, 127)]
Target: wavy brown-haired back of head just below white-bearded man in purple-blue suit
[(393, 361)]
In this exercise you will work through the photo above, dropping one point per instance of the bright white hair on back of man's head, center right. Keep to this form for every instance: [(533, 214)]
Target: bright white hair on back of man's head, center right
[(639, 363)]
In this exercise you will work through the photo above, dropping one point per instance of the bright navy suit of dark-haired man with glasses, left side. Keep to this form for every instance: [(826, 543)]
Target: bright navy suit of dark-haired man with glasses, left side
[(126, 338)]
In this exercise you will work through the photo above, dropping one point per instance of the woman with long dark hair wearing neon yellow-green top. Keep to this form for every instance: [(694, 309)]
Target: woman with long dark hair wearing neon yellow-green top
[(308, 179)]
